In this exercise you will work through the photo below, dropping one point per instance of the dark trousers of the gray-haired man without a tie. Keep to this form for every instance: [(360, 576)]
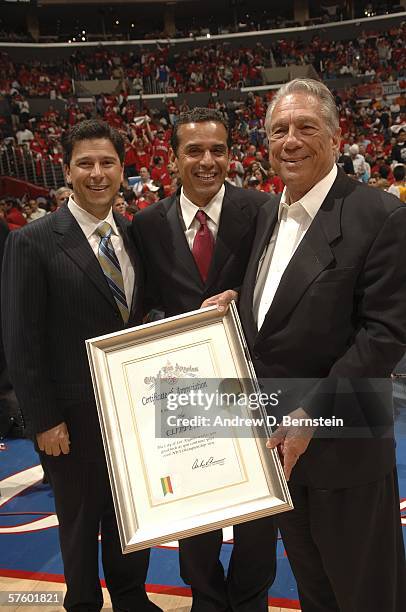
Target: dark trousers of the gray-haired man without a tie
[(345, 547)]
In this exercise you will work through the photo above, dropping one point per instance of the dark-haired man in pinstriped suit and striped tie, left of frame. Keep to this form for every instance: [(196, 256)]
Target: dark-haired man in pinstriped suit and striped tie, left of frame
[(70, 276)]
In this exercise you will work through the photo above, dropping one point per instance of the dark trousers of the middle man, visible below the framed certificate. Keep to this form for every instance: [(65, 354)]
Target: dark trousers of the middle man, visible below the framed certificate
[(250, 574)]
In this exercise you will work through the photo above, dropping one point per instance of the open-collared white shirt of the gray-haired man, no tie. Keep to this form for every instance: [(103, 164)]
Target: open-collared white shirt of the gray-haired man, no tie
[(293, 222)]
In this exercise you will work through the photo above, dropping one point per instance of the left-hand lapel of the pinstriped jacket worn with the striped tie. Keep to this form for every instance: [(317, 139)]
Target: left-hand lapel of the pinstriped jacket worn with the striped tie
[(74, 243)]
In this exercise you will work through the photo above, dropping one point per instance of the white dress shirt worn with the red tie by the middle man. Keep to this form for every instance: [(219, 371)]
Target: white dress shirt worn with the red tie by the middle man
[(212, 210)]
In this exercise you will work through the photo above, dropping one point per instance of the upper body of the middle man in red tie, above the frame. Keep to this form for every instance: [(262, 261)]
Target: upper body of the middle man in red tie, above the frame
[(165, 231)]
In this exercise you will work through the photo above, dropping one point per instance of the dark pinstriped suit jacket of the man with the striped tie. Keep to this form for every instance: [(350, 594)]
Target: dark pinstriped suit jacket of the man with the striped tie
[(54, 297)]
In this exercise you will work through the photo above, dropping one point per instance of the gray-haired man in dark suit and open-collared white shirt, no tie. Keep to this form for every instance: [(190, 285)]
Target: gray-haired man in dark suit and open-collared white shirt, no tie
[(324, 299)]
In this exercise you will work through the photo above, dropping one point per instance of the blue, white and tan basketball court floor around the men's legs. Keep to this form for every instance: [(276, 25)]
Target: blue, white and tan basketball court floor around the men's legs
[(29, 552)]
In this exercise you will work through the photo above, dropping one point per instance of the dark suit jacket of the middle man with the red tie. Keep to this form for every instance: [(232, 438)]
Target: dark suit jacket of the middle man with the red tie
[(173, 280)]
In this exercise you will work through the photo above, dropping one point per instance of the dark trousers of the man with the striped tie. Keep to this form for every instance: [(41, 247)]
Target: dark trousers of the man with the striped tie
[(84, 507)]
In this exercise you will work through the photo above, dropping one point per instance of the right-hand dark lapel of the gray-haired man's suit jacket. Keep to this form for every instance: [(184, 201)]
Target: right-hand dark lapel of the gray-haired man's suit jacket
[(312, 256)]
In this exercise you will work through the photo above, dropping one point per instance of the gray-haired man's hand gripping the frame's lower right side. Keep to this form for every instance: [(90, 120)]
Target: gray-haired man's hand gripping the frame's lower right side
[(291, 441)]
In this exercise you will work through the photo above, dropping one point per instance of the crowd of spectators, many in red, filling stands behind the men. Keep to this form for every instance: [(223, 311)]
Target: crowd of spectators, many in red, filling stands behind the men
[(373, 134)]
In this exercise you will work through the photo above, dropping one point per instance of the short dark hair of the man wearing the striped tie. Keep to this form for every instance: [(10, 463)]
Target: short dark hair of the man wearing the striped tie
[(89, 129)]
